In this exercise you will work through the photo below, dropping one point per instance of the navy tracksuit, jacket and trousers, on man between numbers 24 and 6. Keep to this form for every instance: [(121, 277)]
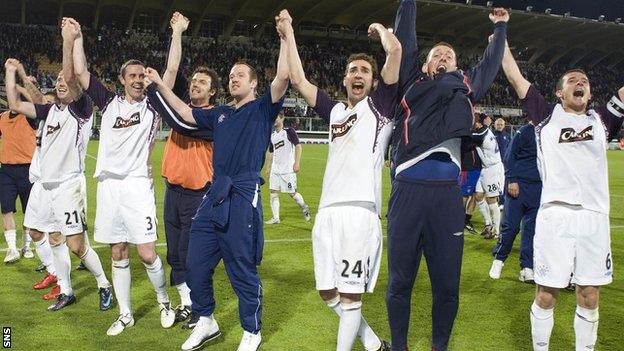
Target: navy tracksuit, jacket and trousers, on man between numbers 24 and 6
[(425, 212)]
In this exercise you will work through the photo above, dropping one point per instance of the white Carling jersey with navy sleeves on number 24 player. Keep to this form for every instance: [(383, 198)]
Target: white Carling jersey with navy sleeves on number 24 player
[(358, 140)]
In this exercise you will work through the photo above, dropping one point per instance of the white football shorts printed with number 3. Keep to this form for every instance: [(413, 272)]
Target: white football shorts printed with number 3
[(125, 211)]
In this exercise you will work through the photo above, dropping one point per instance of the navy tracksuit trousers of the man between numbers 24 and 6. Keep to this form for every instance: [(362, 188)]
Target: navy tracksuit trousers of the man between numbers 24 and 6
[(424, 218)]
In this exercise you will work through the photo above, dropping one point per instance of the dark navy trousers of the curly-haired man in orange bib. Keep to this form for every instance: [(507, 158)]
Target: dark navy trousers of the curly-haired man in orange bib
[(180, 207)]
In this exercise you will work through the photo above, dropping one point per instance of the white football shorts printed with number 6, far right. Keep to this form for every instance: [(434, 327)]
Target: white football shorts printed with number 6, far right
[(571, 240)]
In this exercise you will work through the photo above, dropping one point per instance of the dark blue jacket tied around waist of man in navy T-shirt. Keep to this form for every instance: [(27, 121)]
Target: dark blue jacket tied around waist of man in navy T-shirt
[(220, 194)]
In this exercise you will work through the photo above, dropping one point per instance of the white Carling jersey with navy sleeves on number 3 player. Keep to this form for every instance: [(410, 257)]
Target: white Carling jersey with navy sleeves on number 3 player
[(127, 133)]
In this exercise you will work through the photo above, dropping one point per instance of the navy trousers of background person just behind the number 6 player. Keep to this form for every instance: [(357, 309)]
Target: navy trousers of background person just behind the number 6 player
[(523, 208)]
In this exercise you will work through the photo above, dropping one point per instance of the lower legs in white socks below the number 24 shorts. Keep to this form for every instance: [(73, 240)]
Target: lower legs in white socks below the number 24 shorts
[(349, 308)]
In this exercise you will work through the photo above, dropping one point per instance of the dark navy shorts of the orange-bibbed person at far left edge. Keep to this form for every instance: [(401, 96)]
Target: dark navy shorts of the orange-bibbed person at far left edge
[(13, 183)]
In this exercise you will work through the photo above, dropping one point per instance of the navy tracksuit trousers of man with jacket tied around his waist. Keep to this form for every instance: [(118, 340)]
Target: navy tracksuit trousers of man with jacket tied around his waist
[(240, 246)]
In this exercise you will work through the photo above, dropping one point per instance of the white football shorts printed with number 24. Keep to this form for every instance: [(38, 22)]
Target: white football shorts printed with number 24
[(346, 245)]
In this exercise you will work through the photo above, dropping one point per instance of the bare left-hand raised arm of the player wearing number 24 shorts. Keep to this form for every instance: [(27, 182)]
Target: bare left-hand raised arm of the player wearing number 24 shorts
[(295, 67)]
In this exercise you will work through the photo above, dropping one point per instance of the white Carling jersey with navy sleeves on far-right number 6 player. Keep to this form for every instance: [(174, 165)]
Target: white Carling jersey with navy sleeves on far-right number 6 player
[(571, 152)]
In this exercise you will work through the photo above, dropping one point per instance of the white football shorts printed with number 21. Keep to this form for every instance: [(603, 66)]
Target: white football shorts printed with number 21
[(58, 207)]
